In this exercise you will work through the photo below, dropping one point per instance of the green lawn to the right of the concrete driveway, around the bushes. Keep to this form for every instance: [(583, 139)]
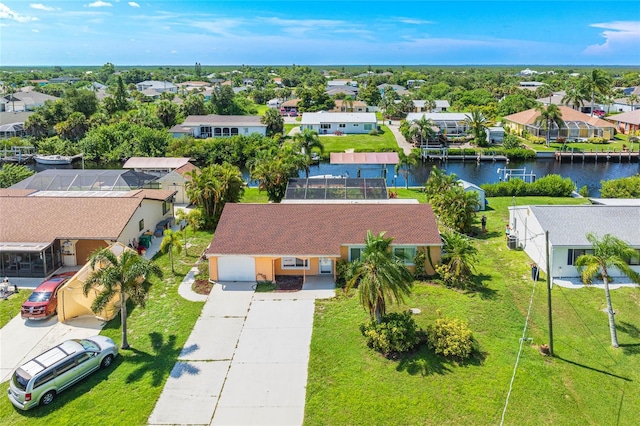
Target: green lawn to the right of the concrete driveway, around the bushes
[(587, 383)]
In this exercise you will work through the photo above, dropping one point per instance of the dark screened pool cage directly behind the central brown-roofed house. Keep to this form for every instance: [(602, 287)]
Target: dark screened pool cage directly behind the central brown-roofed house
[(336, 188)]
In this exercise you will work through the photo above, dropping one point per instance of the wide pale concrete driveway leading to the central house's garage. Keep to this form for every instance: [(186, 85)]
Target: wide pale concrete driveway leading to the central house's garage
[(245, 362)]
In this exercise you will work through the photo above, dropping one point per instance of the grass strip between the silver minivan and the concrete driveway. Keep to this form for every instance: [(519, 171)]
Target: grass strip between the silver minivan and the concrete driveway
[(126, 393)]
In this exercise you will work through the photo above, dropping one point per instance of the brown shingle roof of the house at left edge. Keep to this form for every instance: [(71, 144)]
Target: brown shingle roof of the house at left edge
[(43, 219)]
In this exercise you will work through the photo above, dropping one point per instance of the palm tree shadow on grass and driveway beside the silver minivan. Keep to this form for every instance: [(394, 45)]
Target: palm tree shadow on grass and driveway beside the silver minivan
[(161, 362)]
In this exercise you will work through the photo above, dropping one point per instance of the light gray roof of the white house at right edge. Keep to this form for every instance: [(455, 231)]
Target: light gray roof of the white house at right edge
[(568, 225)]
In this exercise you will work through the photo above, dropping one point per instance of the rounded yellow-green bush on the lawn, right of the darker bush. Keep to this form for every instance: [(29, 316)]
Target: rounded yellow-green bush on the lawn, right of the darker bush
[(451, 338)]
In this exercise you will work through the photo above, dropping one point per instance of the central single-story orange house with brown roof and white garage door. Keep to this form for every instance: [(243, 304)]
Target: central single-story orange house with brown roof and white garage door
[(261, 241)]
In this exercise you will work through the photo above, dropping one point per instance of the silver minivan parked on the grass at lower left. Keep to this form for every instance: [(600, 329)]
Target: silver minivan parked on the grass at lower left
[(39, 380)]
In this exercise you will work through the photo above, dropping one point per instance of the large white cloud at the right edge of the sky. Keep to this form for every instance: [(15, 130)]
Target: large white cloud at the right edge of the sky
[(621, 38)]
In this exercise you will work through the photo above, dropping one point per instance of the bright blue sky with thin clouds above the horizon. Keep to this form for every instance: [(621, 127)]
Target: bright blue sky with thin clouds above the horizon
[(72, 32)]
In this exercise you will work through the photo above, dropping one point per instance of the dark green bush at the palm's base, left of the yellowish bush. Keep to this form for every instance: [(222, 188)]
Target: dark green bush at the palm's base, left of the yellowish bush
[(396, 333)]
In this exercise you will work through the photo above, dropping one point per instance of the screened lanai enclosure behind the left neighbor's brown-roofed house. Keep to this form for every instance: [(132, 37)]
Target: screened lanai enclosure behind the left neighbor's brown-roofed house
[(88, 180)]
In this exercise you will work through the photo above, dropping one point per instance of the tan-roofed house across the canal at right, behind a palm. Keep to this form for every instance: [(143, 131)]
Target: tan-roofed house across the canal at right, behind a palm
[(577, 125)]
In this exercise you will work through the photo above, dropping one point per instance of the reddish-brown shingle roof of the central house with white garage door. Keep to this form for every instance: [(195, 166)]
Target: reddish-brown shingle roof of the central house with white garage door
[(318, 229)]
